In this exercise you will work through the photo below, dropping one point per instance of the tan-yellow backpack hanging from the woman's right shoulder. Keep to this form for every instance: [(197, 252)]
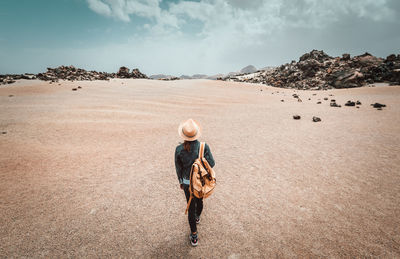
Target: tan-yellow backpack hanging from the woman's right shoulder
[(202, 178)]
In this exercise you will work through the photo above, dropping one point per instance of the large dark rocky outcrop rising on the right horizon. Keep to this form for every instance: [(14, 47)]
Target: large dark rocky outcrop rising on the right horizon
[(317, 70)]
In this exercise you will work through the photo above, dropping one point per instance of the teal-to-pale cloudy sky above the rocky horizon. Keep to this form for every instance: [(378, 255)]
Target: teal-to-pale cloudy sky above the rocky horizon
[(189, 37)]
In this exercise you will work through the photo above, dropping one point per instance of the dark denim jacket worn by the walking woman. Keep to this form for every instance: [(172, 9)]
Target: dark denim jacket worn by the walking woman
[(185, 159)]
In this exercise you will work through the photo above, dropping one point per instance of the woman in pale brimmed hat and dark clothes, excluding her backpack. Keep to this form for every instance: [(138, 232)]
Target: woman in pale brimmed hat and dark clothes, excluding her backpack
[(185, 155)]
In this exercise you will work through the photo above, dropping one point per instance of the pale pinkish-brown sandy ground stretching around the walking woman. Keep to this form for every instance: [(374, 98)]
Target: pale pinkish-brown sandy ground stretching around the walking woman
[(90, 173)]
